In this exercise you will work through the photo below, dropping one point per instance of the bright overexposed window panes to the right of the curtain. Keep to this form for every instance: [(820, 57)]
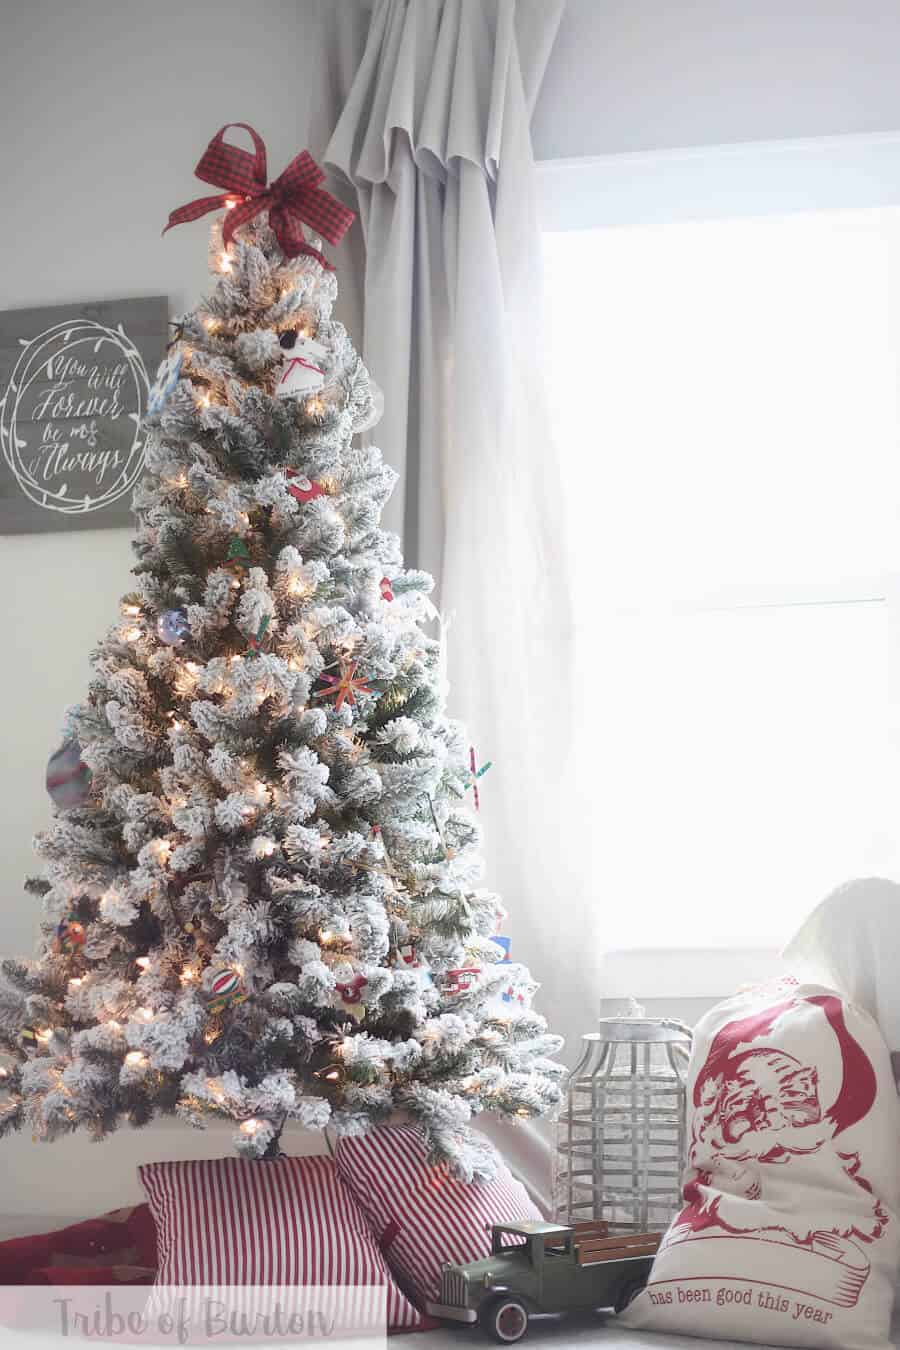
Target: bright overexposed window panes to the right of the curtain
[(728, 402)]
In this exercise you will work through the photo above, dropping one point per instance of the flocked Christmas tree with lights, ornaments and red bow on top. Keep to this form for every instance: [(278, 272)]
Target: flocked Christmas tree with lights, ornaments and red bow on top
[(261, 894)]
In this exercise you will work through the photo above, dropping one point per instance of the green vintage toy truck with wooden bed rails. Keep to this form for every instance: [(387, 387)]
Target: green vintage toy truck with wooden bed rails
[(544, 1268)]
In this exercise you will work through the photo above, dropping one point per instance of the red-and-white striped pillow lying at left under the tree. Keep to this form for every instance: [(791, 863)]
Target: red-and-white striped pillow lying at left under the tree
[(292, 1222)]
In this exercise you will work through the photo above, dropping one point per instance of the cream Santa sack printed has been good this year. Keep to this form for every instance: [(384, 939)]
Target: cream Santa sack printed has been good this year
[(790, 1233)]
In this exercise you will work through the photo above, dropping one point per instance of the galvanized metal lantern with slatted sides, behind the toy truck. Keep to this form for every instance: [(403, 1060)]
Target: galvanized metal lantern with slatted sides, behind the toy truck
[(621, 1133)]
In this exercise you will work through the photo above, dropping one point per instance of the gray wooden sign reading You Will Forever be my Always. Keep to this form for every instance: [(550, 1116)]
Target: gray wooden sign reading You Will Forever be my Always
[(74, 389)]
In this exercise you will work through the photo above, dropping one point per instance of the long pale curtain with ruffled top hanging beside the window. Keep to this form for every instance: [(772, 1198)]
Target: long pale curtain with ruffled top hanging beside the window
[(435, 140)]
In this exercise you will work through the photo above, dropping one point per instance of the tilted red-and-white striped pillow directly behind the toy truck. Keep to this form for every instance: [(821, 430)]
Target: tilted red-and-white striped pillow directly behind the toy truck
[(422, 1214)]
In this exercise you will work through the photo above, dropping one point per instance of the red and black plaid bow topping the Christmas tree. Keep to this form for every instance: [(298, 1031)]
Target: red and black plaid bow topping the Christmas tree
[(293, 199)]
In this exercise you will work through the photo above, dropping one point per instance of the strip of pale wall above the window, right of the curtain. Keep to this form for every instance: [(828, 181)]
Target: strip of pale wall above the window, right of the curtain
[(647, 75)]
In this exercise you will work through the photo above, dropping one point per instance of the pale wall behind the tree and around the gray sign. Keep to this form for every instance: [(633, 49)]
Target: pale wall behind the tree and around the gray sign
[(106, 107)]
